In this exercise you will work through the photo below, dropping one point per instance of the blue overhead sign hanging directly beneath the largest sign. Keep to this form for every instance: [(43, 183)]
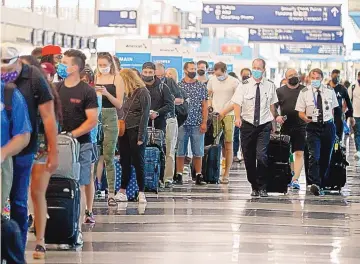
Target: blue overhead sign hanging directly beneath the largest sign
[(314, 36)]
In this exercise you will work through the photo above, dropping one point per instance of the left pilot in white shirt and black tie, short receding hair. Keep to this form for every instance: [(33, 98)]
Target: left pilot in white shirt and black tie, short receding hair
[(254, 108)]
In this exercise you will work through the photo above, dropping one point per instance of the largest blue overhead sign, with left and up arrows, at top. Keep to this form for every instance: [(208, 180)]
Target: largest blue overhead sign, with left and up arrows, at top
[(300, 16)]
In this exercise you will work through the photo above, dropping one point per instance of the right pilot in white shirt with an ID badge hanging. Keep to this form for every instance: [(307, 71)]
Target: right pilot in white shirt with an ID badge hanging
[(315, 105)]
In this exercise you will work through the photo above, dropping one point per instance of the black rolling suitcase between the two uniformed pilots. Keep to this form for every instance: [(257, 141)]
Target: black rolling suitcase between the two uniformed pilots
[(279, 164)]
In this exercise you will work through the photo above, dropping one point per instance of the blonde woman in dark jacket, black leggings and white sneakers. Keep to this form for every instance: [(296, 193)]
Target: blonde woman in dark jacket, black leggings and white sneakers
[(135, 113)]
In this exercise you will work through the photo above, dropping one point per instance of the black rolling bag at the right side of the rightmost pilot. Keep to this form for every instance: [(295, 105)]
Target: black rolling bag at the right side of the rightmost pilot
[(336, 176)]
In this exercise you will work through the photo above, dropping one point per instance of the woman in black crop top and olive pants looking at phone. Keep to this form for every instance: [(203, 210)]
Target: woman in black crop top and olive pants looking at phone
[(109, 83)]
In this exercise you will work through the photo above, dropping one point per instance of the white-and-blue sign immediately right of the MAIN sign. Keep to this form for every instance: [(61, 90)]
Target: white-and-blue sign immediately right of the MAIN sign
[(171, 56)]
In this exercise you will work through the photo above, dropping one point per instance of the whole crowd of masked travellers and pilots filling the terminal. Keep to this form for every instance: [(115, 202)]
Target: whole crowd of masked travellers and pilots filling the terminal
[(54, 92)]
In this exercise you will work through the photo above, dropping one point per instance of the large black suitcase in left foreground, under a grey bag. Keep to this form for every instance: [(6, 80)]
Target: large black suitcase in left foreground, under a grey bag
[(63, 201)]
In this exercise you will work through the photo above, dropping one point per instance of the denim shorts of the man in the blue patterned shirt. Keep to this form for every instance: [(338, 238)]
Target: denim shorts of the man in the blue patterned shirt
[(196, 140)]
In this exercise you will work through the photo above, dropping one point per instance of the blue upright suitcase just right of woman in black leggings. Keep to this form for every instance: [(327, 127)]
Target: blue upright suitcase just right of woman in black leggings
[(152, 168)]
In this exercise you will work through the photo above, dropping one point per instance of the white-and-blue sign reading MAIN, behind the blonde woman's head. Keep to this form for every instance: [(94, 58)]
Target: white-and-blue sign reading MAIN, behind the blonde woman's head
[(133, 53)]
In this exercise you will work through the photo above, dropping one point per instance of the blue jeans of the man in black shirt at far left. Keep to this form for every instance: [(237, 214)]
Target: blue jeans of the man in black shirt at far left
[(19, 193)]
